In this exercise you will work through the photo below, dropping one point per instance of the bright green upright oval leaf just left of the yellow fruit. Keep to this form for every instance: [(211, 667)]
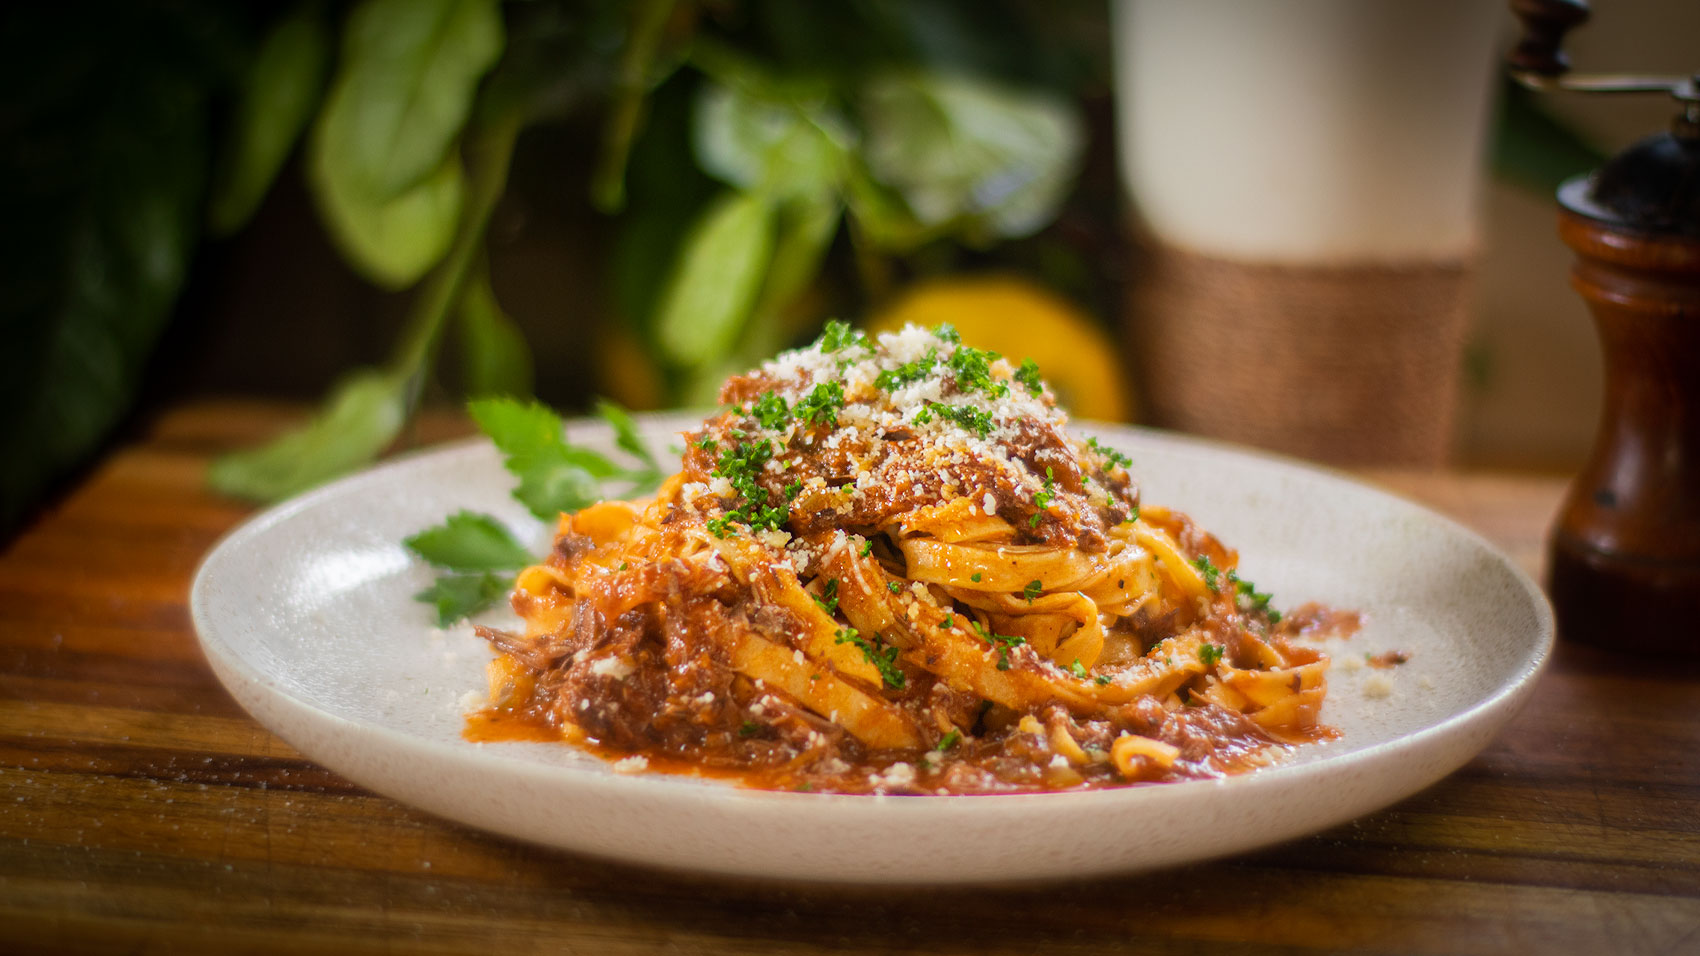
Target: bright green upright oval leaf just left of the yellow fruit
[(717, 278)]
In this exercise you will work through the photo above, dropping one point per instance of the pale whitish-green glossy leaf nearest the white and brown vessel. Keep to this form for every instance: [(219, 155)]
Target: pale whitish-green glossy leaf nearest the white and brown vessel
[(978, 157)]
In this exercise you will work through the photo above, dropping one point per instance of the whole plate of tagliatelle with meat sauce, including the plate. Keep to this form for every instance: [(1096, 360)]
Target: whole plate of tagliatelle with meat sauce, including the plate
[(893, 617)]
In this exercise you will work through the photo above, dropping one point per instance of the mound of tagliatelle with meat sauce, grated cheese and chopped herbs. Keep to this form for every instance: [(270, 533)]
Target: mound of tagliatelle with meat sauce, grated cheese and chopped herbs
[(887, 566)]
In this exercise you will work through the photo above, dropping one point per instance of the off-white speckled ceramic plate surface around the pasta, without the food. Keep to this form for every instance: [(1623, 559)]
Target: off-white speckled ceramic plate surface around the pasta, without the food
[(307, 617)]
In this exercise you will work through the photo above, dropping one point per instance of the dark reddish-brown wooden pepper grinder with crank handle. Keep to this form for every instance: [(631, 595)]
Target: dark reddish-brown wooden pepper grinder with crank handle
[(1626, 550)]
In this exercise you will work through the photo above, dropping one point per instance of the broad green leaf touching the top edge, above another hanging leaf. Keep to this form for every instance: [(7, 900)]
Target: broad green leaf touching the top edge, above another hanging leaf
[(405, 89)]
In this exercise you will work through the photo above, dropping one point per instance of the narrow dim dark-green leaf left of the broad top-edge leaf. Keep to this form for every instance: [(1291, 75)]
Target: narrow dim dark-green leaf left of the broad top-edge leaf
[(276, 103)]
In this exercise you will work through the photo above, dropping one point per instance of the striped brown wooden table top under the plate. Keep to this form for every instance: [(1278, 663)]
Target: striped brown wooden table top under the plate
[(142, 811)]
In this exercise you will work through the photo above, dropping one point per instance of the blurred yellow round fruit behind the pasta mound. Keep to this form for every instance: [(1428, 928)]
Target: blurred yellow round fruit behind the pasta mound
[(1023, 321)]
